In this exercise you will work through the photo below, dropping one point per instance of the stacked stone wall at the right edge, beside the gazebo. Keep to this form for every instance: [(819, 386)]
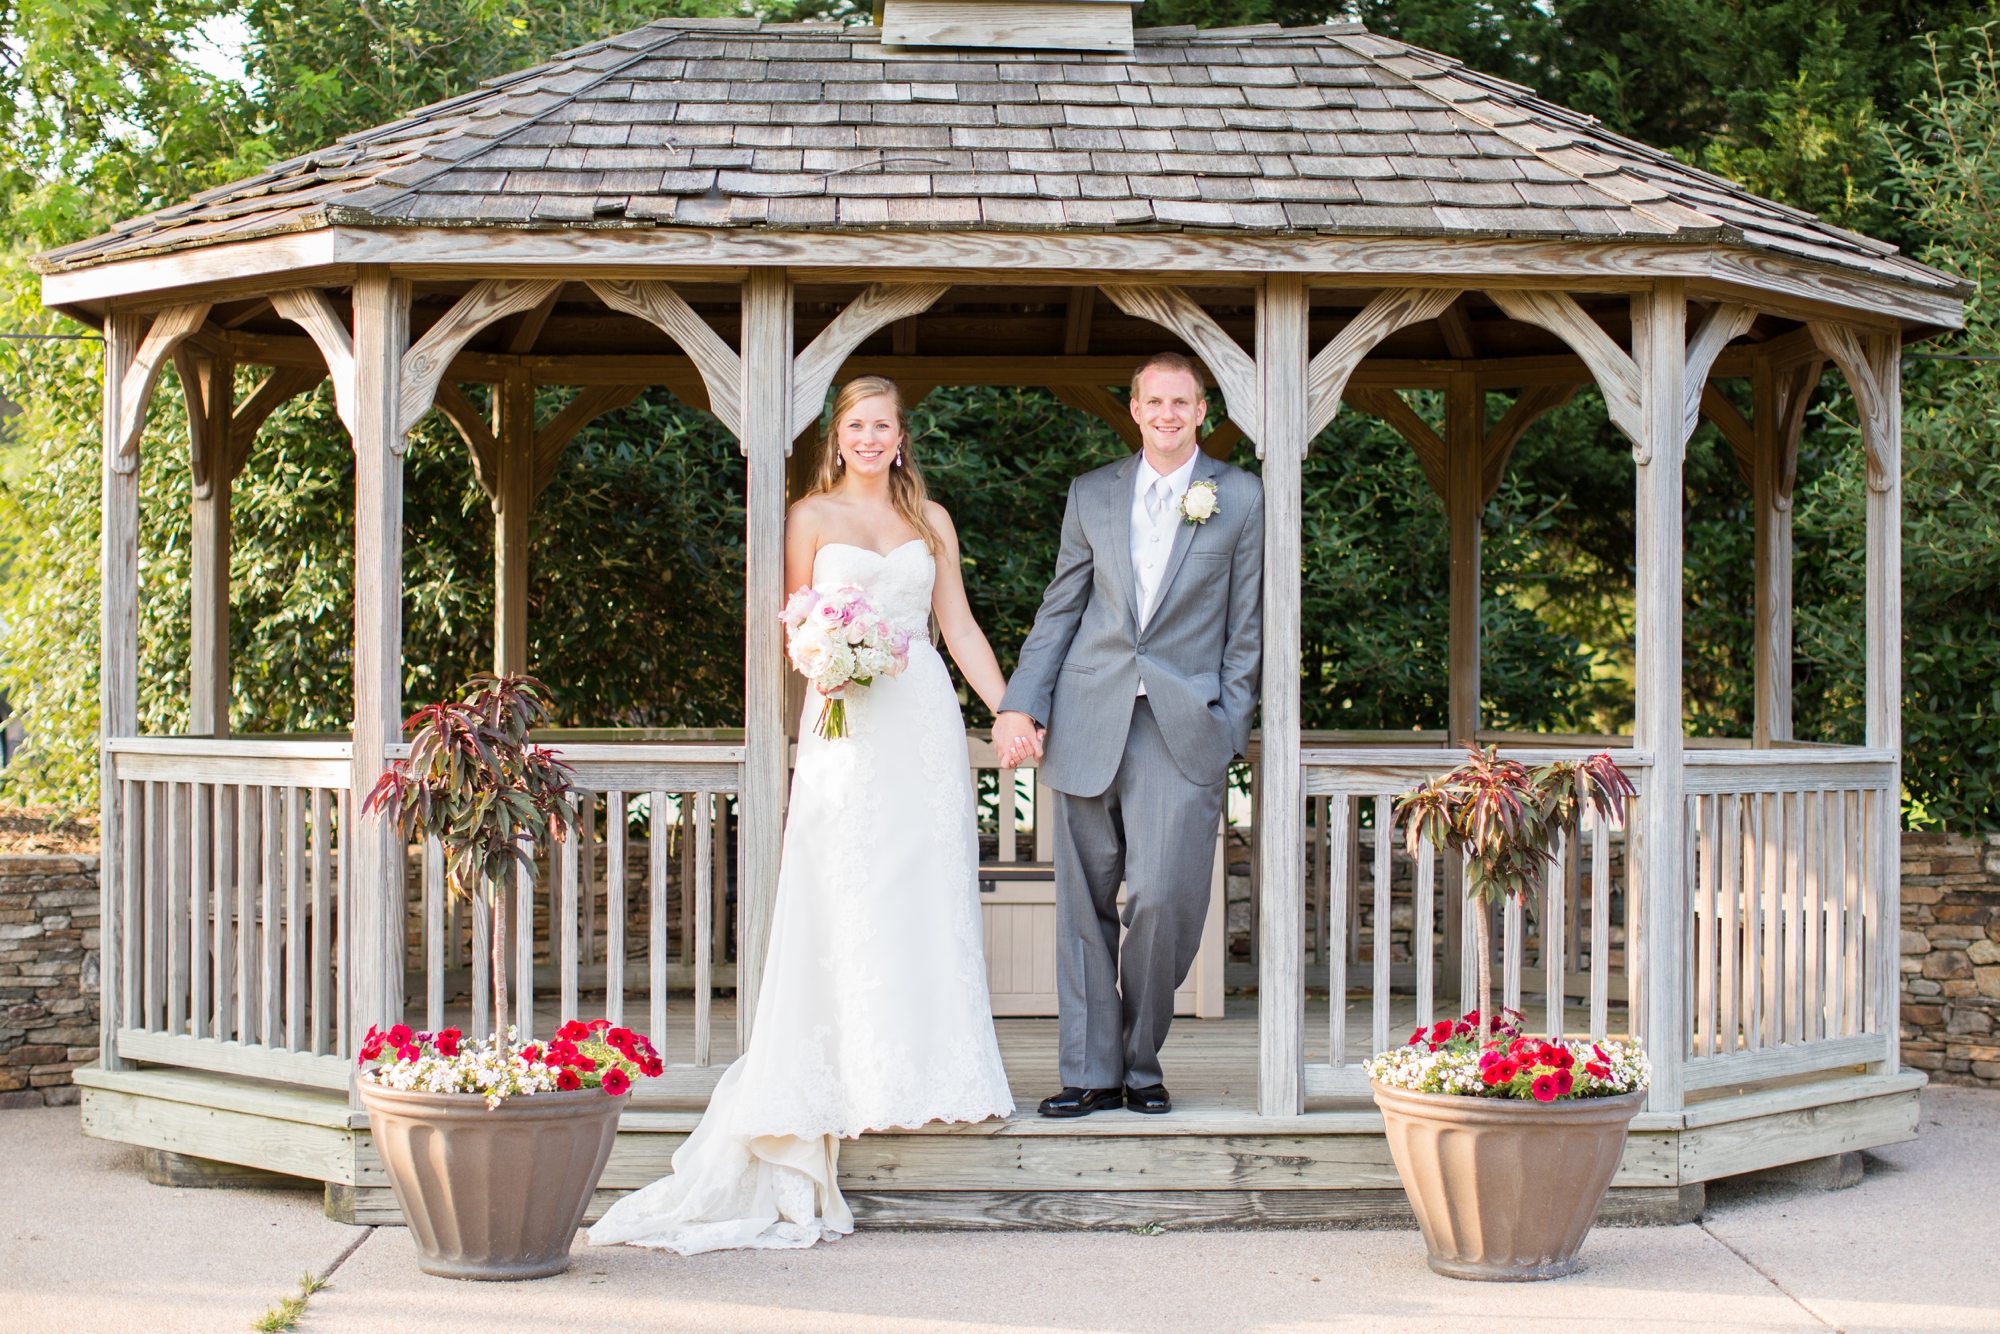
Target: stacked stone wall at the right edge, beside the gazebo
[(1951, 957)]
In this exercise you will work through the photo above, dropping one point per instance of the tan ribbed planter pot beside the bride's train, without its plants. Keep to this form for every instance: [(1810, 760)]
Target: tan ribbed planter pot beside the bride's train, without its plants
[(493, 1193)]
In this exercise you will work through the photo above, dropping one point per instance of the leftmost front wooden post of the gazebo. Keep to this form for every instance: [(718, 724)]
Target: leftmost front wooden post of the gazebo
[(117, 675)]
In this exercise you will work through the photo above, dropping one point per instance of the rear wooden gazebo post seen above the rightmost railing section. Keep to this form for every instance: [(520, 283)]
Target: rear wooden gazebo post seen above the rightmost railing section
[(1773, 563)]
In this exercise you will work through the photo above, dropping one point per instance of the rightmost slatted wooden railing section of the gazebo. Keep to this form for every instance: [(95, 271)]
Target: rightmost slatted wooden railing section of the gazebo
[(1795, 913)]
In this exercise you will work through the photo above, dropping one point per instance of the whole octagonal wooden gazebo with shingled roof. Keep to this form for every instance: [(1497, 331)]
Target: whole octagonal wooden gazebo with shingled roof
[(999, 193)]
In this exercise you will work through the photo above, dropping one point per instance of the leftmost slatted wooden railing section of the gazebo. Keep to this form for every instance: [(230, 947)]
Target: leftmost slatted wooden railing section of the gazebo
[(227, 941)]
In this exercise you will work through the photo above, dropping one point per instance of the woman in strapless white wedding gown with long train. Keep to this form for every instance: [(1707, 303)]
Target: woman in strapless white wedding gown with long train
[(875, 1007)]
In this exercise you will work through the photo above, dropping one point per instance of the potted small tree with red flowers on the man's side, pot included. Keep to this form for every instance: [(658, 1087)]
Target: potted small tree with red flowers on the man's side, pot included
[(1507, 1143)]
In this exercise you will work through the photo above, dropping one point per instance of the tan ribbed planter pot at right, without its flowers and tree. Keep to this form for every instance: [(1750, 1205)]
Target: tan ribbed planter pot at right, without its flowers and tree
[(1503, 1189)]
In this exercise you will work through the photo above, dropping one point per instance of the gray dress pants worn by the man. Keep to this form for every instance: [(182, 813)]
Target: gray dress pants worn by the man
[(1157, 833)]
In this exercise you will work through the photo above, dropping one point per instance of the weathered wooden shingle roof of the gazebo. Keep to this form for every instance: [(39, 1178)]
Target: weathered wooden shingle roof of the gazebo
[(733, 123)]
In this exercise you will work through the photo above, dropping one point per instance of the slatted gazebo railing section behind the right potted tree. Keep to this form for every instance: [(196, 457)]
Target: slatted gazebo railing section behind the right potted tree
[(1351, 781)]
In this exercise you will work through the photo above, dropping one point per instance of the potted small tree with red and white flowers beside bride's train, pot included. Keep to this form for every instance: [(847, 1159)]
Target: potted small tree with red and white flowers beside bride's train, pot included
[(493, 1147)]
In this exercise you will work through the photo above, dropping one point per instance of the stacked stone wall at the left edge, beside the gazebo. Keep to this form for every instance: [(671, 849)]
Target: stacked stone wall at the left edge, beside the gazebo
[(49, 977)]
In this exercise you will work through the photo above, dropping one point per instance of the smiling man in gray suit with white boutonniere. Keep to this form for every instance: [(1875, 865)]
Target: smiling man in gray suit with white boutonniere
[(1139, 677)]
